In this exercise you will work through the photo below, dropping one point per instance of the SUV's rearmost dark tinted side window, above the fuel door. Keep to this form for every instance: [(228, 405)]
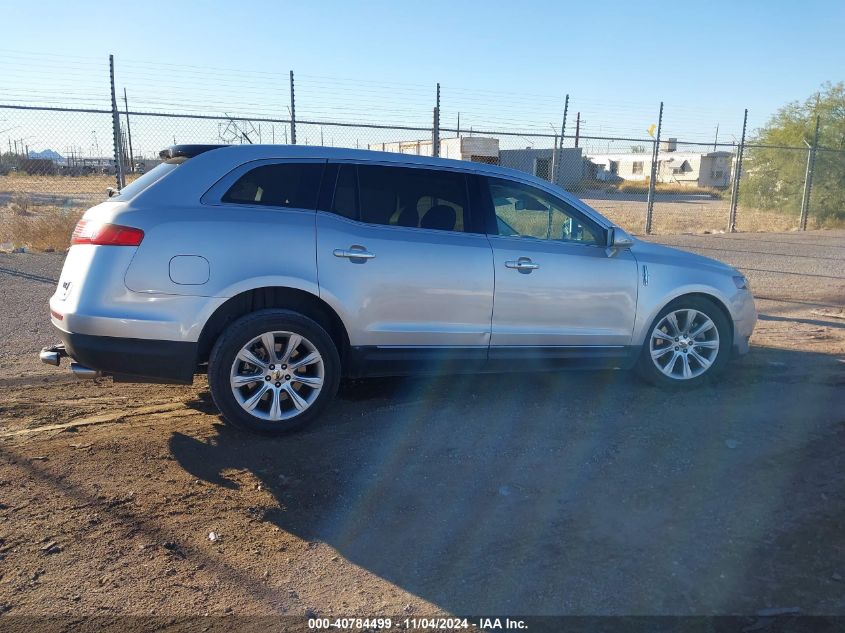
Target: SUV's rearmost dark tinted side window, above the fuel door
[(293, 185)]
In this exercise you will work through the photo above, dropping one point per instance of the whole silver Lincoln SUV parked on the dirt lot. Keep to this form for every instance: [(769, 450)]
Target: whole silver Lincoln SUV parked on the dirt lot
[(279, 270)]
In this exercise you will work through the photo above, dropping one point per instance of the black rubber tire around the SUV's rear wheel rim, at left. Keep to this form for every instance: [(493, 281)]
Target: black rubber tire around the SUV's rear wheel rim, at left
[(239, 334)]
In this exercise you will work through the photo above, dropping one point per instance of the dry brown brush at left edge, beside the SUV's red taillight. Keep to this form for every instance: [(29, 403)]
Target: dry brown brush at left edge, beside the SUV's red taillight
[(40, 228)]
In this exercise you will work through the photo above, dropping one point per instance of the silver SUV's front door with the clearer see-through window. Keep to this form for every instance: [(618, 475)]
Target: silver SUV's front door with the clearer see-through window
[(558, 291)]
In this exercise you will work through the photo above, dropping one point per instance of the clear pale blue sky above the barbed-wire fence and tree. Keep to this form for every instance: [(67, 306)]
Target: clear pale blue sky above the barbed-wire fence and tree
[(501, 65)]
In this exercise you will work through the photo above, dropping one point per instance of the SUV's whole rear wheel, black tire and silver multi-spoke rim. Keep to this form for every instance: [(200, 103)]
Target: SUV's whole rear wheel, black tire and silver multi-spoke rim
[(273, 371)]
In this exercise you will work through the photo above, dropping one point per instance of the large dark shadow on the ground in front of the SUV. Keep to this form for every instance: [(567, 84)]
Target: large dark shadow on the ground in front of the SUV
[(575, 493)]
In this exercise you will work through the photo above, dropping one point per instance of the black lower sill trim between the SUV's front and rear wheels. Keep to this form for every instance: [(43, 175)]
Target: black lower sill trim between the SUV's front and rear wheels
[(402, 361)]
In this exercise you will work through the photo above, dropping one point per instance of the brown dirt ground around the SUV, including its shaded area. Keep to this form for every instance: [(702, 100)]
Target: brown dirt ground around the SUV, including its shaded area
[(574, 493)]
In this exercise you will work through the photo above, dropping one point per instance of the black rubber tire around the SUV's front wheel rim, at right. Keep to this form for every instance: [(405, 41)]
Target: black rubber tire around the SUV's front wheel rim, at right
[(647, 369)]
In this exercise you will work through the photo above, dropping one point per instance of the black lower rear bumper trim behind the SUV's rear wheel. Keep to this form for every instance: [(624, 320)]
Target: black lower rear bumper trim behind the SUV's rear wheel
[(132, 358)]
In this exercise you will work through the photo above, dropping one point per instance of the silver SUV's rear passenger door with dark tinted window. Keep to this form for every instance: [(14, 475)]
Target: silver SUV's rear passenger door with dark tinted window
[(401, 259)]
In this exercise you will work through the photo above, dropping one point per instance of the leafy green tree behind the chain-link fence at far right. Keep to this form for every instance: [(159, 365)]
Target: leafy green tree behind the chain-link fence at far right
[(773, 177)]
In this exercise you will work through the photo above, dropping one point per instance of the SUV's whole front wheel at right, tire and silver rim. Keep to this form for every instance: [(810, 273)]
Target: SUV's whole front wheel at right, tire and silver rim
[(688, 343)]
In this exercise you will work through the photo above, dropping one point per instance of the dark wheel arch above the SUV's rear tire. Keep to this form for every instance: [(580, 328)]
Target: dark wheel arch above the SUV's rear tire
[(265, 297)]
